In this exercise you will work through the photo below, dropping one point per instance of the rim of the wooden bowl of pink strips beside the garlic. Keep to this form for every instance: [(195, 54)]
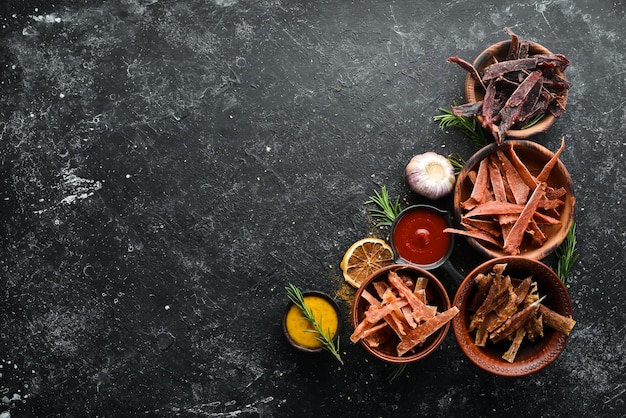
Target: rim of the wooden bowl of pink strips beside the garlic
[(539, 252)]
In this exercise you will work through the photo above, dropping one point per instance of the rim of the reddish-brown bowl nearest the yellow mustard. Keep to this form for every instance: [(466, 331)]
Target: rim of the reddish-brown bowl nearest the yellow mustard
[(441, 333)]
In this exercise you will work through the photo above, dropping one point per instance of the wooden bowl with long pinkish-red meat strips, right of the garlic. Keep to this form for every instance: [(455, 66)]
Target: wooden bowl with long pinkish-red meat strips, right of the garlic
[(514, 199)]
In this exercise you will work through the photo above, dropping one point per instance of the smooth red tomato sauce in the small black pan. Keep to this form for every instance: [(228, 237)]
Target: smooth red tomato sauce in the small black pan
[(418, 237)]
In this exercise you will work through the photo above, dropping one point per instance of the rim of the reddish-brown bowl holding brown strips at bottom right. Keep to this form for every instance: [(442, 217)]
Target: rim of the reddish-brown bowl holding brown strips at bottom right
[(552, 347)]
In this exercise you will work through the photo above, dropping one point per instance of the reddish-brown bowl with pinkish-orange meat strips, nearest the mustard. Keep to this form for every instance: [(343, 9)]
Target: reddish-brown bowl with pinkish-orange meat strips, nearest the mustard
[(401, 314)]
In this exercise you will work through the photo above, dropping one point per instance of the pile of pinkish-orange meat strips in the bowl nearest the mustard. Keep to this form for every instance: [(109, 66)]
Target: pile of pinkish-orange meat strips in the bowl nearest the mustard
[(399, 315)]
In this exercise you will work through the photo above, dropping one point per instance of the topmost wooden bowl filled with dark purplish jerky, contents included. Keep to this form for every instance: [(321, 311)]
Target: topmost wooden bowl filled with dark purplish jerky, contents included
[(515, 88)]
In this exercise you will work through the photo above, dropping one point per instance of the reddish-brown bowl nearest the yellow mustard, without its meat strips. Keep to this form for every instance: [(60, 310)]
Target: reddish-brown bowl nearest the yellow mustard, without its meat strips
[(437, 296)]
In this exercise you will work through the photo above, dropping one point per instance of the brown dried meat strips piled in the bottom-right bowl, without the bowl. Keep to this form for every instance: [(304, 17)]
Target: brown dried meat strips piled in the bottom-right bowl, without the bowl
[(510, 309)]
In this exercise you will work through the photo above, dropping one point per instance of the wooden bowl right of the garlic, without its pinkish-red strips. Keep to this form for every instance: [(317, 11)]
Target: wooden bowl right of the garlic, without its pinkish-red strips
[(534, 156)]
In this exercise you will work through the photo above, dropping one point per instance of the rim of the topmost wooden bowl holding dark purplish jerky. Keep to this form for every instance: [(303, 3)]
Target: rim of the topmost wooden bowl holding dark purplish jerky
[(544, 123)]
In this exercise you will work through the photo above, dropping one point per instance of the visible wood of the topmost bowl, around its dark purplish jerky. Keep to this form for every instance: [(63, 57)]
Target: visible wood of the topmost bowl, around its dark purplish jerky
[(475, 93)]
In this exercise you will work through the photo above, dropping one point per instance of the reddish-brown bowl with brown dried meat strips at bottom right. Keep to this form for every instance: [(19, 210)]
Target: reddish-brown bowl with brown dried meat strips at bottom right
[(515, 316)]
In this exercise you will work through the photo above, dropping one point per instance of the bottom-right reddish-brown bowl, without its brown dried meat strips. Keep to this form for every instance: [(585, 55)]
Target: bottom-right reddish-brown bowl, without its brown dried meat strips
[(532, 356)]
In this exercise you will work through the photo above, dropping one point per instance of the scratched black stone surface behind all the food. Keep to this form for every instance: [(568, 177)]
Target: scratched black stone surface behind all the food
[(168, 166)]
